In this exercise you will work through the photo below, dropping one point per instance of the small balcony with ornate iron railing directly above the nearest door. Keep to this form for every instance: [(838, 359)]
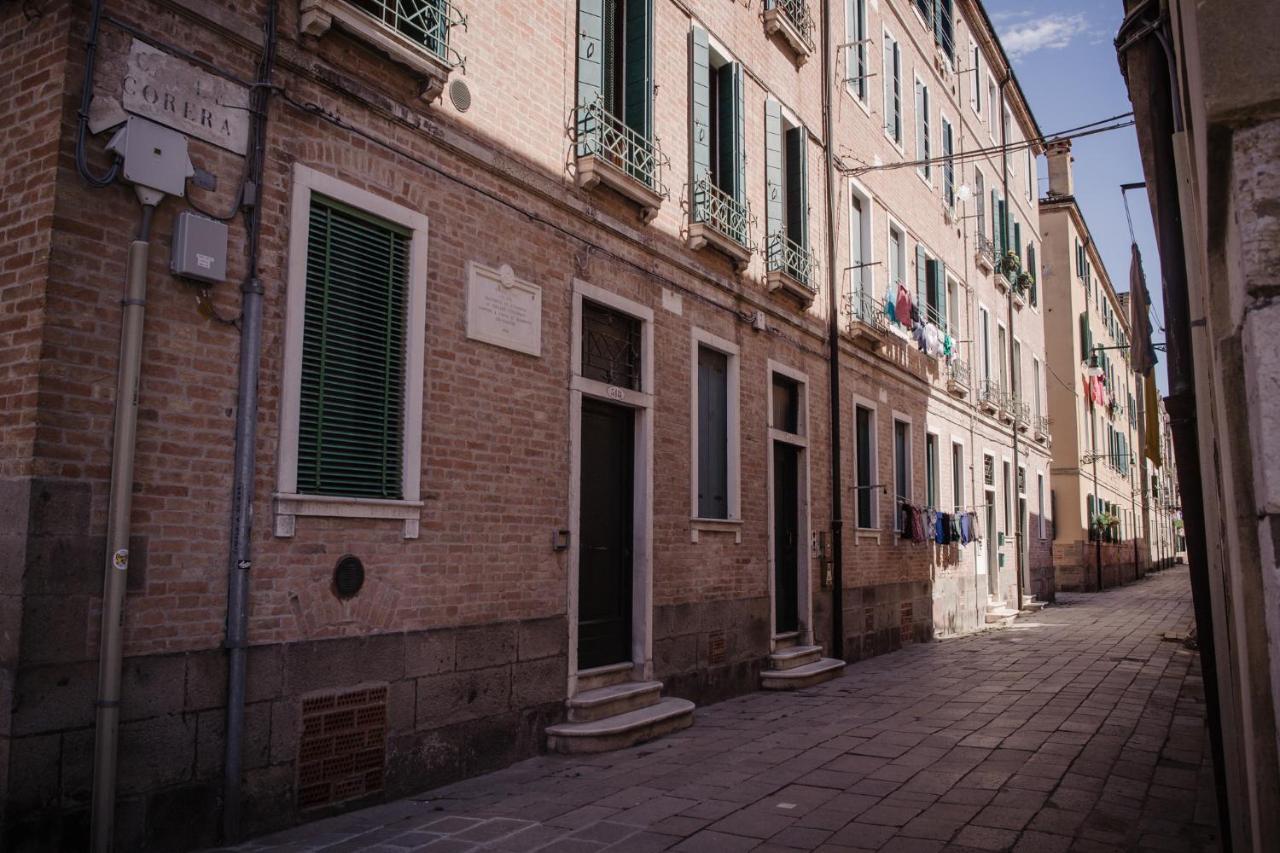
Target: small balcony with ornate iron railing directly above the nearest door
[(612, 154)]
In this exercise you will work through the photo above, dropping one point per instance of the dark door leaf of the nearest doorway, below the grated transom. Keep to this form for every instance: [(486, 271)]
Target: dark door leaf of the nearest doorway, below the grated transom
[(605, 535)]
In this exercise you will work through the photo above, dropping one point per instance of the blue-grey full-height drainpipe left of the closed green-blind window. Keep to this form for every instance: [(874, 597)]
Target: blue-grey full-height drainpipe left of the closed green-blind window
[(246, 434)]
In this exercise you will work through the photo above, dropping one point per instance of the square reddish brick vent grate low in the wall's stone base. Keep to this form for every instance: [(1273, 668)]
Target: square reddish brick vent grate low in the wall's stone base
[(342, 747)]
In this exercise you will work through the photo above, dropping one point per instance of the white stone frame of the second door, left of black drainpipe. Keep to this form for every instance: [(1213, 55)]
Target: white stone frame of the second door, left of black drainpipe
[(801, 441)]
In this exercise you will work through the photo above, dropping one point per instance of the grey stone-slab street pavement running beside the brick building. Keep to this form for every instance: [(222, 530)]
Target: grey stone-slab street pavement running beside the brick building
[(1077, 729)]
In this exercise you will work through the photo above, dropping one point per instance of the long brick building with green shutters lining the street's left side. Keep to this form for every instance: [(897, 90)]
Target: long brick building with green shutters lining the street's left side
[(545, 431)]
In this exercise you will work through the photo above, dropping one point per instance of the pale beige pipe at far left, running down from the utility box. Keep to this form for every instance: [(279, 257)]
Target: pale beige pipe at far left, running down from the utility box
[(116, 573)]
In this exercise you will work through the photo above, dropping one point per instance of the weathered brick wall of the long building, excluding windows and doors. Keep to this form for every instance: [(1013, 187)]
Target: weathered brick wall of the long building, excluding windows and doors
[(469, 624)]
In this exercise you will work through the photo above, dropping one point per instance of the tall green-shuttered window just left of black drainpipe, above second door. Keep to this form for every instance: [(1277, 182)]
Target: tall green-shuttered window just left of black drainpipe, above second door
[(787, 171)]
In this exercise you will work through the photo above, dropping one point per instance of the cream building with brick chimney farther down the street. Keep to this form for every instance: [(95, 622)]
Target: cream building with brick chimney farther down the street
[(1100, 536)]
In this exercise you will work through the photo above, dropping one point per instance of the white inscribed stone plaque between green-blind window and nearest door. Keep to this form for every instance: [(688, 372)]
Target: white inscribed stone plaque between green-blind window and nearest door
[(504, 311)]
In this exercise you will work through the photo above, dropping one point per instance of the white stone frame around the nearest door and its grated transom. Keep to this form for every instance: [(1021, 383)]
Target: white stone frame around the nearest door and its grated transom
[(642, 403)]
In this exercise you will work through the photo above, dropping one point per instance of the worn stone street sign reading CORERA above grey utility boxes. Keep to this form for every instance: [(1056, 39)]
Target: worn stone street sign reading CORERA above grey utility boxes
[(175, 93)]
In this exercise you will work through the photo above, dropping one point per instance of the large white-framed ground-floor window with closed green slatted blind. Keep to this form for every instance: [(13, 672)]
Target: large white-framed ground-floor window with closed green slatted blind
[(355, 323)]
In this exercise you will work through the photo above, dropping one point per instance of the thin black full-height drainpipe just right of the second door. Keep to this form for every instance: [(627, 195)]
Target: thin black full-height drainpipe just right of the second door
[(838, 523)]
